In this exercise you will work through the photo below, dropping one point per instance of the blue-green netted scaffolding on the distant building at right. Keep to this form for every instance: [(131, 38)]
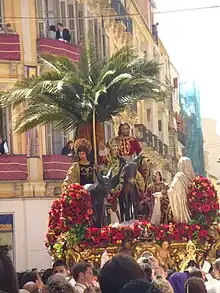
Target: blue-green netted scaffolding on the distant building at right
[(190, 112)]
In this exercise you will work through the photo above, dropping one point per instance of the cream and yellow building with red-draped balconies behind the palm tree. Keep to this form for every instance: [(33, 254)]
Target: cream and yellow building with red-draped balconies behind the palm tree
[(30, 178)]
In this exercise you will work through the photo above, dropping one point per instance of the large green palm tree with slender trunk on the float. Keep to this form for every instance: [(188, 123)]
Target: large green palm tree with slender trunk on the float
[(70, 95)]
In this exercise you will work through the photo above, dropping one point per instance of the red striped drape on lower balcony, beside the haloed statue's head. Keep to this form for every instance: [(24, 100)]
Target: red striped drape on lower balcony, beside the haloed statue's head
[(55, 167)]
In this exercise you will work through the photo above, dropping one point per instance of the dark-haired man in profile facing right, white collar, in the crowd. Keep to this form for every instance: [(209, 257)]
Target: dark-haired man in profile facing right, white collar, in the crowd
[(83, 275)]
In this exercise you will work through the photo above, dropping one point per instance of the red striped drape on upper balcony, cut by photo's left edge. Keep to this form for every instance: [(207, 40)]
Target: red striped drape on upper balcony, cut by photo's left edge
[(10, 47)]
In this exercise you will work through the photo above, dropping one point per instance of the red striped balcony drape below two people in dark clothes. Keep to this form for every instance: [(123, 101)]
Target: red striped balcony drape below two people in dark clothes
[(59, 48)]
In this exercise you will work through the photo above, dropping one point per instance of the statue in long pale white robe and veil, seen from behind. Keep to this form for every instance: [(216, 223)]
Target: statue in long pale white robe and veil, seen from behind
[(179, 189)]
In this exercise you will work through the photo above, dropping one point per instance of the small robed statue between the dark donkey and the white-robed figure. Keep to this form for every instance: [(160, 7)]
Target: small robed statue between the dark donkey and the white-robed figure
[(159, 207)]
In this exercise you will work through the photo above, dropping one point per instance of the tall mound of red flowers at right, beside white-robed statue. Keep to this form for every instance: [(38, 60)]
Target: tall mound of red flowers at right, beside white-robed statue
[(203, 202)]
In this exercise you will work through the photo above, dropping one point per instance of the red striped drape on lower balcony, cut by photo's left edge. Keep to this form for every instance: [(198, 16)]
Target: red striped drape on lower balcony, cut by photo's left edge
[(13, 168)]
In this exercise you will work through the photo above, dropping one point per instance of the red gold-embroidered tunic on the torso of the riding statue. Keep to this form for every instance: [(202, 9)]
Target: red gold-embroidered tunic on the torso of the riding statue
[(128, 146)]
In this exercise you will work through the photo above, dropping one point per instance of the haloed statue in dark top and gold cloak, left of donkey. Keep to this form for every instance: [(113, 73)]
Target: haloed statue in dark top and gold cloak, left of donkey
[(81, 171)]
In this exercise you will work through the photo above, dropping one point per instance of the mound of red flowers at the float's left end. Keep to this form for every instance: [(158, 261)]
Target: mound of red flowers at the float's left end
[(70, 215)]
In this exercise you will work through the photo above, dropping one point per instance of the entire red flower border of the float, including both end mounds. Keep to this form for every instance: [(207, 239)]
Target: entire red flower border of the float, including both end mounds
[(70, 222)]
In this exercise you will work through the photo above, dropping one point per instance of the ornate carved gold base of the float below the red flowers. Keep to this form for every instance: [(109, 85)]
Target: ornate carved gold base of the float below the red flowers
[(181, 253)]
